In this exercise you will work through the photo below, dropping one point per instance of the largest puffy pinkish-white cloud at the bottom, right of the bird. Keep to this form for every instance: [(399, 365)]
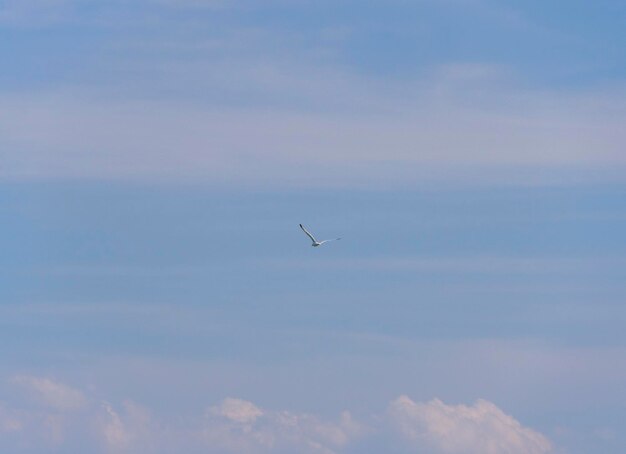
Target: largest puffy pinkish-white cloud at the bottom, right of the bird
[(479, 429)]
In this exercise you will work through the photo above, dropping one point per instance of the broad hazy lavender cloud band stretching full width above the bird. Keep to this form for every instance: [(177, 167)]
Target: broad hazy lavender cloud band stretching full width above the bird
[(62, 137)]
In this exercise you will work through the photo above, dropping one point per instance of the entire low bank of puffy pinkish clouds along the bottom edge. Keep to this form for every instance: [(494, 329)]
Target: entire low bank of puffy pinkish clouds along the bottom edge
[(239, 426)]
